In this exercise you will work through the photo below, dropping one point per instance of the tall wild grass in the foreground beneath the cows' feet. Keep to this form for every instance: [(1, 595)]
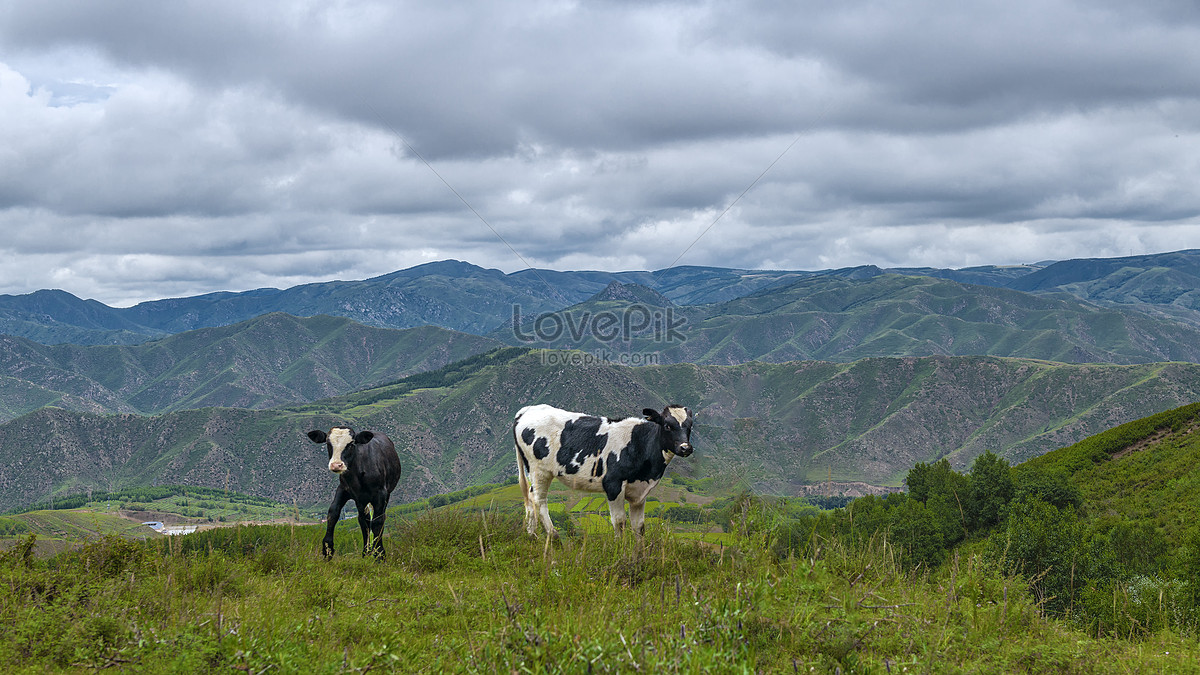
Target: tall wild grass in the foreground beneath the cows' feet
[(469, 592)]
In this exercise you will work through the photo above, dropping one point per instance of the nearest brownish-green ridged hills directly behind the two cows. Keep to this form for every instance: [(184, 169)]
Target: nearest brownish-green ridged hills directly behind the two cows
[(775, 426)]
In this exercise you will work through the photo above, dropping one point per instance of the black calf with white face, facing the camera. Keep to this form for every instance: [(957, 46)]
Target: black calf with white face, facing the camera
[(368, 469)]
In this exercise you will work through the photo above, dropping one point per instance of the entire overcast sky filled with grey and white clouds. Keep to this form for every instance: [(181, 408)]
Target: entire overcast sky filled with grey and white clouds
[(161, 150)]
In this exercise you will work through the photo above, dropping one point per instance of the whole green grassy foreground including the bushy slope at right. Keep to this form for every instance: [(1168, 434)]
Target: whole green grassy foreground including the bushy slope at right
[(1083, 561)]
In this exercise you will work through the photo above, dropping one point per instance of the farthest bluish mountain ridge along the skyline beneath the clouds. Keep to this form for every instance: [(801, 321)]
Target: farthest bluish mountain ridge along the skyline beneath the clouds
[(469, 298)]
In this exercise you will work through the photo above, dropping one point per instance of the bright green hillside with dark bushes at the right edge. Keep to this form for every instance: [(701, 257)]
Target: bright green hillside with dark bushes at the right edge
[(1105, 531)]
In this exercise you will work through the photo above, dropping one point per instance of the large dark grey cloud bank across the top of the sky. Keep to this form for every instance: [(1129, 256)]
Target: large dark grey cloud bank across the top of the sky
[(476, 81)]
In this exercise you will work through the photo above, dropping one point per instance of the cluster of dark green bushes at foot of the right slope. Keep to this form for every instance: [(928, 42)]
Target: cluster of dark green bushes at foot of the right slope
[(1107, 574)]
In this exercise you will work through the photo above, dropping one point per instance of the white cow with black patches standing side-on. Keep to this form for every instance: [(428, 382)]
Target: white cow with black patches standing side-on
[(622, 458)]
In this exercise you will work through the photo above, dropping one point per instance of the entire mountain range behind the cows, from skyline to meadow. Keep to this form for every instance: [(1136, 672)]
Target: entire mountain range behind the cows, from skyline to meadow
[(799, 378)]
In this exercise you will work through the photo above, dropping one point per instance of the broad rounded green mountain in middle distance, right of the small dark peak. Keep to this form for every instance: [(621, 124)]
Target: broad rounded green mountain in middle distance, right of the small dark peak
[(837, 319)]
